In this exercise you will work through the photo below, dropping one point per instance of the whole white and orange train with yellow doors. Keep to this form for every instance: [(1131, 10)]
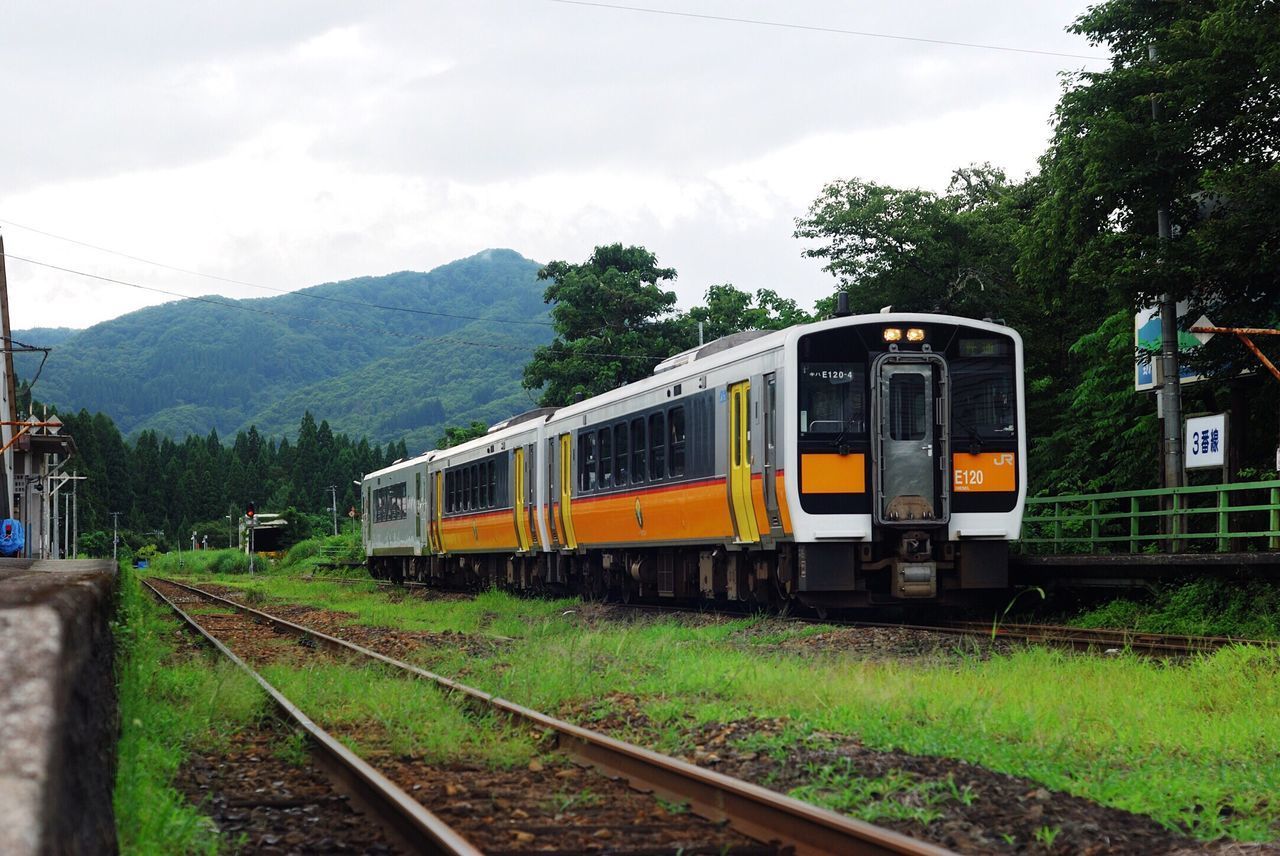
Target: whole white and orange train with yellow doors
[(852, 463)]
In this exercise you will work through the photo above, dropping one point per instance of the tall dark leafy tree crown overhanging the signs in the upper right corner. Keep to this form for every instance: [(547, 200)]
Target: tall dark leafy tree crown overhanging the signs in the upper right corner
[(1212, 159)]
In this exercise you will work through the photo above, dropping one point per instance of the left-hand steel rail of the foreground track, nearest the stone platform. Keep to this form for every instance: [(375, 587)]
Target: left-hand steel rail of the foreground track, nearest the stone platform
[(394, 808)]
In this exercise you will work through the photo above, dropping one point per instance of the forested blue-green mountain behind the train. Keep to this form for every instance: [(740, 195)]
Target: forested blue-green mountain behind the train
[(190, 367)]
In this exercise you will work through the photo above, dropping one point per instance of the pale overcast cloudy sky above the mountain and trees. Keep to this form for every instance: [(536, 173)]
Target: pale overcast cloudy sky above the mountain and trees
[(291, 144)]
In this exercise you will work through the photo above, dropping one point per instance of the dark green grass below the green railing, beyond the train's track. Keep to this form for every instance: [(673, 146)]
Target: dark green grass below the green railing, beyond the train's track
[(1199, 608)]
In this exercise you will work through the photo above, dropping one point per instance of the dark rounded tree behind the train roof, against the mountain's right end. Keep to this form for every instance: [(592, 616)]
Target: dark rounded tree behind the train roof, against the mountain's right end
[(614, 322)]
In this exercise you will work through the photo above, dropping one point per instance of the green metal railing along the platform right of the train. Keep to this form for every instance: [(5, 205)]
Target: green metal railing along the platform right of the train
[(1223, 519)]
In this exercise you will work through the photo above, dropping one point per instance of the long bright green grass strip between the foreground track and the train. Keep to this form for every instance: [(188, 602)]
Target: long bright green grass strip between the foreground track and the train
[(1194, 745)]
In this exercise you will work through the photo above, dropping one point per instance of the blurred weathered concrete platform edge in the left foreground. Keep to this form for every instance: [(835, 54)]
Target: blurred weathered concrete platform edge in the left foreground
[(58, 708)]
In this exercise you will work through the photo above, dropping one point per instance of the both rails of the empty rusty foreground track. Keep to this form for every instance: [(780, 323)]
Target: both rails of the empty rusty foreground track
[(781, 823)]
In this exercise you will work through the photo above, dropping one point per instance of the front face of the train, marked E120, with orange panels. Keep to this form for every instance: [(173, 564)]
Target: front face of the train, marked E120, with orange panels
[(909, 442)]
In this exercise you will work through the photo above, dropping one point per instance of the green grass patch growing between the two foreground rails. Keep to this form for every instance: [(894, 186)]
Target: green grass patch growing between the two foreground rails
[(372, 708)]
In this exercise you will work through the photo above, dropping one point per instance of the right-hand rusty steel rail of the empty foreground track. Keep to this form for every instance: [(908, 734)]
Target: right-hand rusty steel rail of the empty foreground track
[(753, 811)]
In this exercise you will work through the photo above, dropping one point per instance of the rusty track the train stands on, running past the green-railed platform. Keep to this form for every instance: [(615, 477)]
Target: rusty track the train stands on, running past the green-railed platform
[(1059, 635)]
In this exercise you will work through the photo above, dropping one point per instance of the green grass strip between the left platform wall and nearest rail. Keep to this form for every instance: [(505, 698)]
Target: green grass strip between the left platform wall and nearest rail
[(171, 704)]
